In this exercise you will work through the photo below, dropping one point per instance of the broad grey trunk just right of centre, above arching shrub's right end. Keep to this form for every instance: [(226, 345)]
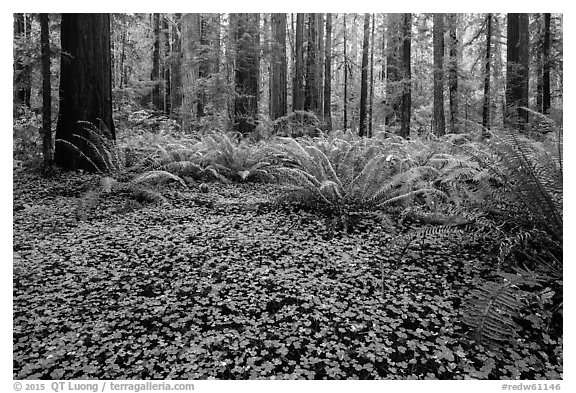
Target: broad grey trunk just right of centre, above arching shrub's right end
[(312, 88)]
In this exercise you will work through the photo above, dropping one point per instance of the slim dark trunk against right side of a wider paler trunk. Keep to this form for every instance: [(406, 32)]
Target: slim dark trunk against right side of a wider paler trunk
[(406, 108)]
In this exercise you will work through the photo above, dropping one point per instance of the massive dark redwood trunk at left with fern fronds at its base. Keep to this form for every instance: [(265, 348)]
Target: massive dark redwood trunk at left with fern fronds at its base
[(85, 87)]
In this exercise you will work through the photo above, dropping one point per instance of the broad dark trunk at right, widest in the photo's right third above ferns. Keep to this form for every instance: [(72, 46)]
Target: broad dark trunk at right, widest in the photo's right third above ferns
[(517, 75)]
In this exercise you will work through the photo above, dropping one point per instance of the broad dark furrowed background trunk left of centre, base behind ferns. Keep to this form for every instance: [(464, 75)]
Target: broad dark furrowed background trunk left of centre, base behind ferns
[(247, 72)]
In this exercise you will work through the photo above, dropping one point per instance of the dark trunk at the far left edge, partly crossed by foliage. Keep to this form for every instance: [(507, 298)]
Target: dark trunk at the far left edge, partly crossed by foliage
[(22, 69)]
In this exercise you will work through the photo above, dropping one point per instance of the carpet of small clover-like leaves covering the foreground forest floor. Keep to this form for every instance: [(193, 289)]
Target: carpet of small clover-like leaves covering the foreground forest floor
[(222, 284)]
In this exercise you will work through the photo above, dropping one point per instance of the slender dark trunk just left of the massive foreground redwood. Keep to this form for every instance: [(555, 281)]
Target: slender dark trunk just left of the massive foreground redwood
[(46, 93)]
